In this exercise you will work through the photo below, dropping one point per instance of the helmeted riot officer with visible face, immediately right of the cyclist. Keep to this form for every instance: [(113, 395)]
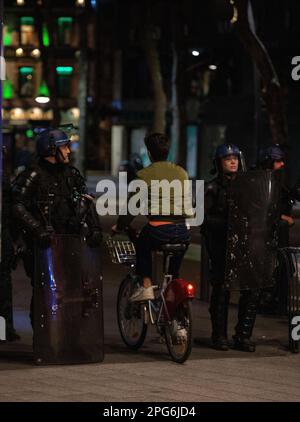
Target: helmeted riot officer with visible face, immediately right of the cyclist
[(227, 161)]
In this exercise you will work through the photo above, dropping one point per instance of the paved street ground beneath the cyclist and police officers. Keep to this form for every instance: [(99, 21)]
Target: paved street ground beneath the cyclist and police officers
[(270, 374)]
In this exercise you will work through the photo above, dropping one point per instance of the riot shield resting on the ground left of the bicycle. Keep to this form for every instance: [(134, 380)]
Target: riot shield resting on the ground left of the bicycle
[(68, 312)]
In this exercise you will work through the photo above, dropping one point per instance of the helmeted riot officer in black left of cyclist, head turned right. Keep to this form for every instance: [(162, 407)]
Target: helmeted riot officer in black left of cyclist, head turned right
[(51, 197)]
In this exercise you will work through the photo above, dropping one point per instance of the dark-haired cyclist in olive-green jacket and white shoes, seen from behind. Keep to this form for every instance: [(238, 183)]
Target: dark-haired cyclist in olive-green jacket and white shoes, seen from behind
[(161, 228)]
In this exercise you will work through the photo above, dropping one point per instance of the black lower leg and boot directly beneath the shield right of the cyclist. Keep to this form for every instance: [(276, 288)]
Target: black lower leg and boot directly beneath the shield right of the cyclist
[(246, 320)]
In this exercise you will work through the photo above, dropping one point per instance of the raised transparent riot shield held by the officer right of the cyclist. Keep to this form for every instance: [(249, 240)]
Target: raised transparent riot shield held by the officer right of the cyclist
[(251, 256)]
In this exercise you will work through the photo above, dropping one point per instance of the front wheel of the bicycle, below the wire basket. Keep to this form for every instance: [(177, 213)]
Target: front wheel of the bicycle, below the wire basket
[(131, 322)]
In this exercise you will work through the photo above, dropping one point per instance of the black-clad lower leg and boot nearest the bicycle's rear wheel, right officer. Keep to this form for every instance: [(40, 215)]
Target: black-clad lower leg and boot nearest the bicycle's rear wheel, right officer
[(219, 315)]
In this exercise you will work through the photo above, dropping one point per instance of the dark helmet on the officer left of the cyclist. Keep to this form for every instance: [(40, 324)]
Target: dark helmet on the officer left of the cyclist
[(49, 140)]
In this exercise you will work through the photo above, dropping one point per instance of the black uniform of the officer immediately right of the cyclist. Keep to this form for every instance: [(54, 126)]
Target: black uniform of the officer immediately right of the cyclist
[(214, 230)]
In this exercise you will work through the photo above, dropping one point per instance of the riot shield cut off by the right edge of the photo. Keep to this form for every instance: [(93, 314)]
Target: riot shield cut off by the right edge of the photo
[(292, 266)]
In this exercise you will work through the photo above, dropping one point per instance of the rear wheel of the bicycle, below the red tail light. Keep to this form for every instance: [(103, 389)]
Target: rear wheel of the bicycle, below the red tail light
[(178, 333)]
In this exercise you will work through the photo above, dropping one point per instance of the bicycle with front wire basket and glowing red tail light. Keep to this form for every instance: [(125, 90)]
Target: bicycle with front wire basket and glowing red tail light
[(170, 311)]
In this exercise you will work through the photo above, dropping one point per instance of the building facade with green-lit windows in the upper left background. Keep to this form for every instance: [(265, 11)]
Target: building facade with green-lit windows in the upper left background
[(51, 64)]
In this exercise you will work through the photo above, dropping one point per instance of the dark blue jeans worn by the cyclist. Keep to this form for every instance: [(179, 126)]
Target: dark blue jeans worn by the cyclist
[(151, 238)]
